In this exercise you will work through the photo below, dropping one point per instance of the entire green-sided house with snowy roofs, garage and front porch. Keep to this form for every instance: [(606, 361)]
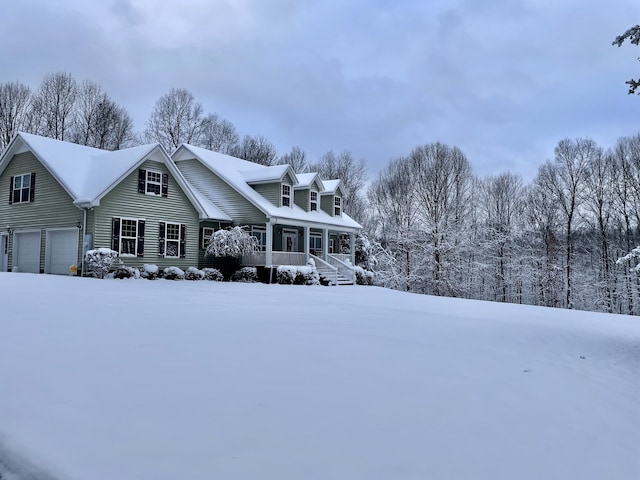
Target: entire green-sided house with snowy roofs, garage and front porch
[(62, 199)]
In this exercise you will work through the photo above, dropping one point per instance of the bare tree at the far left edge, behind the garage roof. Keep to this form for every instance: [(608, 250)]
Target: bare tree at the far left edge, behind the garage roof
[(15, 102)]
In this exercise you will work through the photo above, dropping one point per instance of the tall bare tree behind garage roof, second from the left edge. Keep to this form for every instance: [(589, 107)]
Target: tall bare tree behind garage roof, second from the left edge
[(53, 105)]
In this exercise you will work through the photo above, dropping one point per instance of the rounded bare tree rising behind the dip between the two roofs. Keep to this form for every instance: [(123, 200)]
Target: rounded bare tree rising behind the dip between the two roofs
[(176, 118)]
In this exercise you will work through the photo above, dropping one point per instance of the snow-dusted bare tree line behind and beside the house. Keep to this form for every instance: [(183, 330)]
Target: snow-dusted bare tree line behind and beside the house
[(431, 224)]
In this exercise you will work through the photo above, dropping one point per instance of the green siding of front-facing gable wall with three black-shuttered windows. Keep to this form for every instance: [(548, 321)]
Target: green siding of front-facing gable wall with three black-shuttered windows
[(125, 201)]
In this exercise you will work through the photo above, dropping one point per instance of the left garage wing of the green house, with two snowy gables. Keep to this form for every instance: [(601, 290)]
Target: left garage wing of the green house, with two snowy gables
[(62, 199)]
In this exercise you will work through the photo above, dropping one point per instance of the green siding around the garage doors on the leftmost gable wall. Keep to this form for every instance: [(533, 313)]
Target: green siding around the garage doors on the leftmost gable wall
[(52, 206)]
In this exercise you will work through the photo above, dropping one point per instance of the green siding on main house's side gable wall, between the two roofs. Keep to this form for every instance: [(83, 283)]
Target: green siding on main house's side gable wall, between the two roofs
[(221, 194)]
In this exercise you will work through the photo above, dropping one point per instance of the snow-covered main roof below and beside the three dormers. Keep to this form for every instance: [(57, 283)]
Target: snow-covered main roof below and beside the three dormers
[(232, 170)]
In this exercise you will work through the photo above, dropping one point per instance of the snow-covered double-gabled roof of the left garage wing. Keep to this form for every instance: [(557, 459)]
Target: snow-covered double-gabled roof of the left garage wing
[(87, 174)]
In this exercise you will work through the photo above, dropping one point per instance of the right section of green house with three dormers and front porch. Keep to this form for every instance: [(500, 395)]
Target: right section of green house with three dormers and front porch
[(294, 216)]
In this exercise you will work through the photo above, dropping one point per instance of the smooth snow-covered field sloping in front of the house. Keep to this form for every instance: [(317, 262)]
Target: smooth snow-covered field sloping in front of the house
[(141, 380)]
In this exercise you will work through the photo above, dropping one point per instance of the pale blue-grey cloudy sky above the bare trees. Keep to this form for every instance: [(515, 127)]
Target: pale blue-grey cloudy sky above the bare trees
[(504, 80)]
